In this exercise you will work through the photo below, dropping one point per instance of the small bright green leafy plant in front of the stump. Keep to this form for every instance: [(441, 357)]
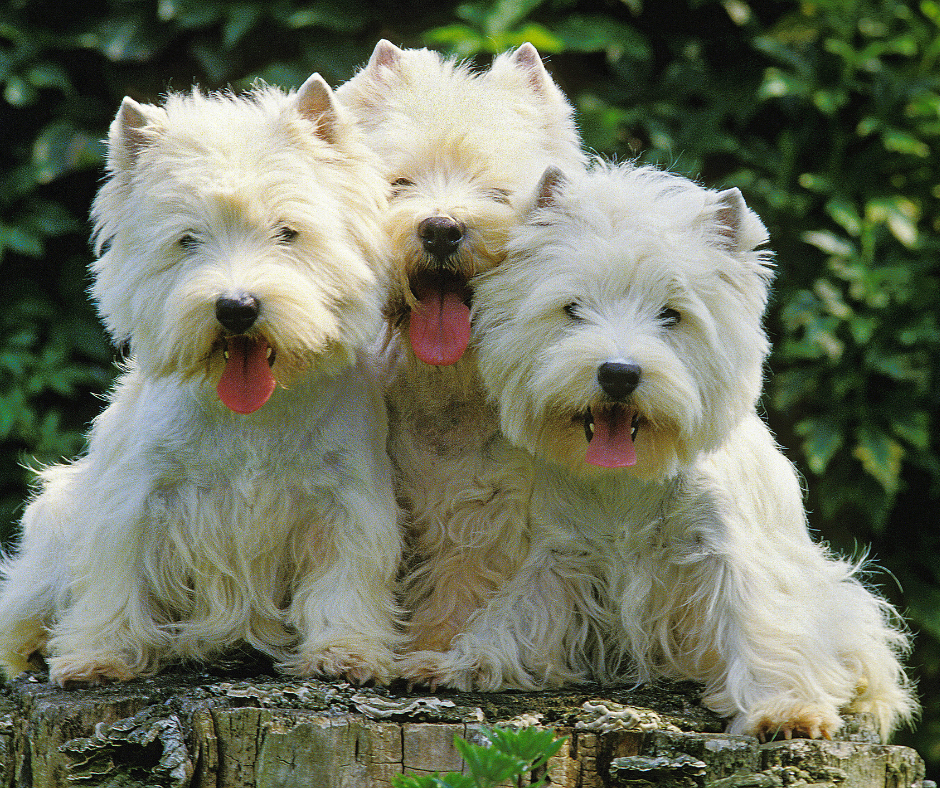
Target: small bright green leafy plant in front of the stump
[(509, 755)]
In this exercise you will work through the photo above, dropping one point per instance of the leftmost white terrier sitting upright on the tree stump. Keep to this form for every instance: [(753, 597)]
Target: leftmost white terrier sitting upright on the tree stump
[(236, 489)]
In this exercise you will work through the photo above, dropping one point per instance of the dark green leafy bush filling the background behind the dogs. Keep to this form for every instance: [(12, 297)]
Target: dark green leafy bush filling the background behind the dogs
[(826, 114)]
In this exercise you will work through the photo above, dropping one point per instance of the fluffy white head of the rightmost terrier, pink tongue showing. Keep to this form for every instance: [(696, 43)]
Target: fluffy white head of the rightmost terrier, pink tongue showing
[(623, 332)]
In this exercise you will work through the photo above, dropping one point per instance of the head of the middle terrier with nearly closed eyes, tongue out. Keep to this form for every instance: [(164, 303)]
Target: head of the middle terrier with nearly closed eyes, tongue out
[(457, 148)]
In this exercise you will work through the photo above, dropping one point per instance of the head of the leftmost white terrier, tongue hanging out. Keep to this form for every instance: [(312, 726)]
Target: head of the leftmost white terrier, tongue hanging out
[(242, 236)]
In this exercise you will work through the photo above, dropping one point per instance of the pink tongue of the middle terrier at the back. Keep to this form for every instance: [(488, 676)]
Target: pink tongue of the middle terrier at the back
[(440, 328)]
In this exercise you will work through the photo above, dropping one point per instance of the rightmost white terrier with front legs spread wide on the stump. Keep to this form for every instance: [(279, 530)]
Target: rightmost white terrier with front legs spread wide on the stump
[(622, 340)]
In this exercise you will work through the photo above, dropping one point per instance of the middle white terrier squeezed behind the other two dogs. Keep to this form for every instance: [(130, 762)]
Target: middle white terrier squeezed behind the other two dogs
[(462, 150)]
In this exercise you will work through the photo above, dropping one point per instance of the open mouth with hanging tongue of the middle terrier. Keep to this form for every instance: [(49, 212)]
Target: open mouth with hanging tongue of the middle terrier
[(439, 328)]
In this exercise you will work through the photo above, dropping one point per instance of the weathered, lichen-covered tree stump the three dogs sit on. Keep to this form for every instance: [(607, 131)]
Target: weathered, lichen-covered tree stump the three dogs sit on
[(218, 730)]
